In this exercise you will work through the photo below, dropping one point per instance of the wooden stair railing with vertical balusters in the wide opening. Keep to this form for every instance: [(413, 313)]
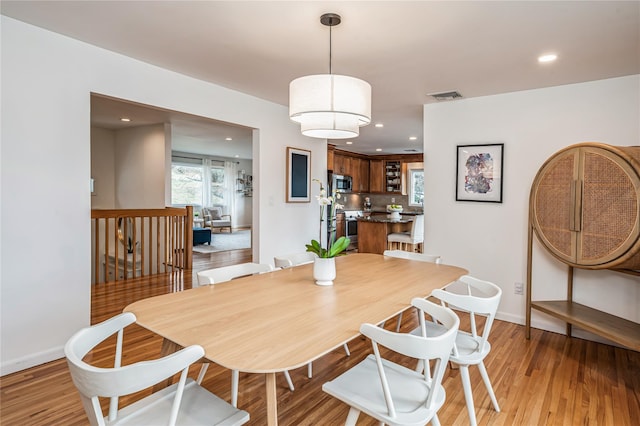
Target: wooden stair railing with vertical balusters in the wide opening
[(131, 243)]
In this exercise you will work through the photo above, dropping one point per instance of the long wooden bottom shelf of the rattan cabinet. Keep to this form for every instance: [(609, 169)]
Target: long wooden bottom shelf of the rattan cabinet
[(616, 329)]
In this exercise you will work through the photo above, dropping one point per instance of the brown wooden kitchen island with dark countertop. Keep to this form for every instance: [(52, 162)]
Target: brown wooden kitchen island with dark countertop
[(373, 231)]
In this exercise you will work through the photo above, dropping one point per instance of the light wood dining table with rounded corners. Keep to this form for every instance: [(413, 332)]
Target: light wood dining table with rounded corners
[(282, 320)]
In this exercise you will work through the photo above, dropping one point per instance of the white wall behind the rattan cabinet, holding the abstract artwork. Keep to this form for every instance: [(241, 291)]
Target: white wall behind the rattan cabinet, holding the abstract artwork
[(490, 240)]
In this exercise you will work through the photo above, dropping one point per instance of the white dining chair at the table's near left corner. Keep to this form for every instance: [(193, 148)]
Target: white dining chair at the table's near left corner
[(185, 402)]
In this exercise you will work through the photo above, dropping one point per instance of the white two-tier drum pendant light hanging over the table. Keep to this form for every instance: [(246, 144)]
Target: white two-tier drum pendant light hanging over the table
[(330, 106)]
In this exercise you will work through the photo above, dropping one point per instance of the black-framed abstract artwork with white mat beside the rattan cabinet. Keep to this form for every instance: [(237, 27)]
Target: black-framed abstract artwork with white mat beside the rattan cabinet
[(479, 173)]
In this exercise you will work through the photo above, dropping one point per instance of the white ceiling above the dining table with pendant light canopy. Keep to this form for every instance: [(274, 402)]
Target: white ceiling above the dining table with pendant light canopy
[(406, 50)]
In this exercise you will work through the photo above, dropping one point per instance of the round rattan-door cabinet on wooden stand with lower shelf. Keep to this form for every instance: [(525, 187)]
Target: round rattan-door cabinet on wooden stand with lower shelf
[(584, 209)]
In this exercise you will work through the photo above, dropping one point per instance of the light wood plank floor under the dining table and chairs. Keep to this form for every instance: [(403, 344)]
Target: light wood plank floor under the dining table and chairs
[(548, 380)]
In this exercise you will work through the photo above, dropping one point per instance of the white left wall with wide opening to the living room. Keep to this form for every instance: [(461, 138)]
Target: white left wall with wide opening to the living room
[(46, 84)]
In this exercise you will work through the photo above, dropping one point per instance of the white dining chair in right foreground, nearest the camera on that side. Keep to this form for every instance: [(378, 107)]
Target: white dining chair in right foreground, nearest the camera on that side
[(389, 392)]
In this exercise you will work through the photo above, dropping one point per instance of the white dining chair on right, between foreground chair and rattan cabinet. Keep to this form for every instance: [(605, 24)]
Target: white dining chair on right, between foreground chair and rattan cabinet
[(481, 299)]
